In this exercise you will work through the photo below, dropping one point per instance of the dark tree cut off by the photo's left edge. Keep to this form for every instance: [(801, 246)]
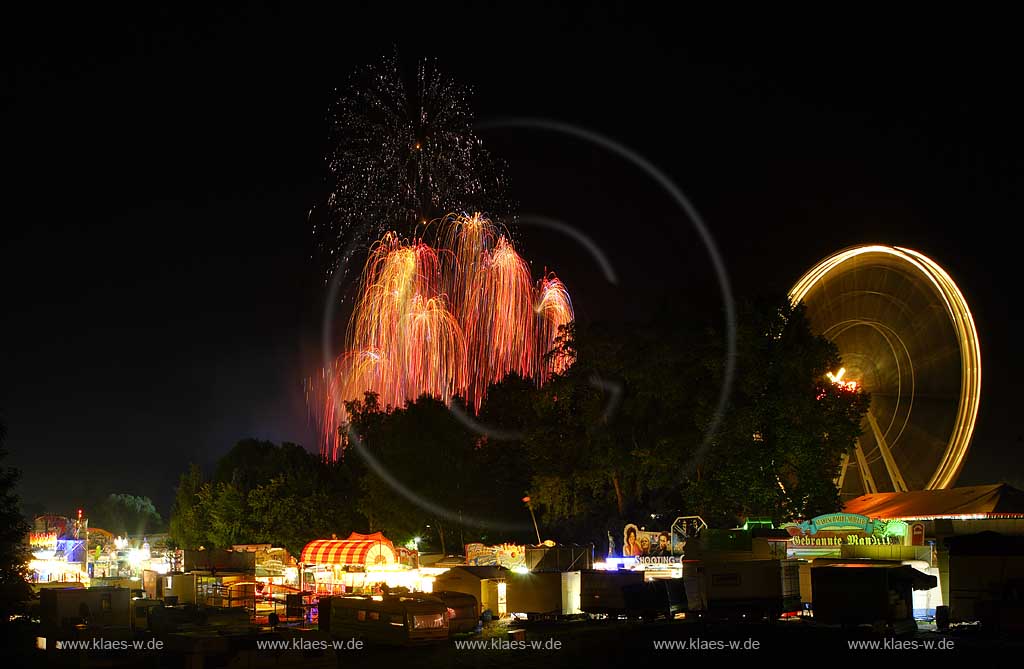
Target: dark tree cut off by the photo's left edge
[(15, 591)]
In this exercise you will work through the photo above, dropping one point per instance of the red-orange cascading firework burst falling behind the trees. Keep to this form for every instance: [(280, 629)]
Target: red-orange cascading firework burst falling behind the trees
[(445, 322)]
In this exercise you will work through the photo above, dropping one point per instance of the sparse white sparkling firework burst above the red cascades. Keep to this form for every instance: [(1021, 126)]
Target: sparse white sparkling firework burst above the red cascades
[(402, 157)]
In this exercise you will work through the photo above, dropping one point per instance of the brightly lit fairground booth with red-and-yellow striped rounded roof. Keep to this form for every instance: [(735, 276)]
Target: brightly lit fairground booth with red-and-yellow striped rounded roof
[(362, 564)]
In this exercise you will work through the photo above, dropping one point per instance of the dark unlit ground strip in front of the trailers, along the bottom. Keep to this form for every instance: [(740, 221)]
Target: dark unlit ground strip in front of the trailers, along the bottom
[(595, 644)]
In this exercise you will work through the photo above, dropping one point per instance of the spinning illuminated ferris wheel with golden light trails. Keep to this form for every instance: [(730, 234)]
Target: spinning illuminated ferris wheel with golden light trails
[(908, 338)]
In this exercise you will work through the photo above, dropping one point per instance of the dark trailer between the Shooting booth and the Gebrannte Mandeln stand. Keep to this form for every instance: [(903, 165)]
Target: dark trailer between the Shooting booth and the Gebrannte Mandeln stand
[(751, 591)]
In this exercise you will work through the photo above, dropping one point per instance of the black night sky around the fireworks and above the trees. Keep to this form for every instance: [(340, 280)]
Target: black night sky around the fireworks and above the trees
[(163, 297)]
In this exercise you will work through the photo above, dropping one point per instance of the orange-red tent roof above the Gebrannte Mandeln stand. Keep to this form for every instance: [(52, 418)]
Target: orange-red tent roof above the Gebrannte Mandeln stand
[(987, 501)]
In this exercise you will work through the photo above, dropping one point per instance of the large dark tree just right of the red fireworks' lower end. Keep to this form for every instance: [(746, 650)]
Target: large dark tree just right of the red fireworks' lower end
[(615, 432)]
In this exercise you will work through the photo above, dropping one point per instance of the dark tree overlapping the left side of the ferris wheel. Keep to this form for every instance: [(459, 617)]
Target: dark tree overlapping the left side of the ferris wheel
[(787, 429)]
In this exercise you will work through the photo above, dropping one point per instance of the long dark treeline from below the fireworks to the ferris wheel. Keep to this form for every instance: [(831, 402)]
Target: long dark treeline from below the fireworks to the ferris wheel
[(624, 434)]
